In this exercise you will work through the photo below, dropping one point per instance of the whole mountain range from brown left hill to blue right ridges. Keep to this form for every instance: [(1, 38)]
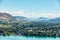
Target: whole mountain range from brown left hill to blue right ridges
[(8, 17)]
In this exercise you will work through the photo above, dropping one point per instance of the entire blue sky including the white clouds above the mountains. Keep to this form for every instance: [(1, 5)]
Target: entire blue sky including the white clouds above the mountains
[(31, 8)]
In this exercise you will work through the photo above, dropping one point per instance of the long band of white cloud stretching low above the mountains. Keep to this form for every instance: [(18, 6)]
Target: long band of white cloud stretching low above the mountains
[(22, 13)]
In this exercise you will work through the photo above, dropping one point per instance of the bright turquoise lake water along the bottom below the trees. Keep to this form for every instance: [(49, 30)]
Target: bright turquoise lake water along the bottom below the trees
[(28, 38)]
